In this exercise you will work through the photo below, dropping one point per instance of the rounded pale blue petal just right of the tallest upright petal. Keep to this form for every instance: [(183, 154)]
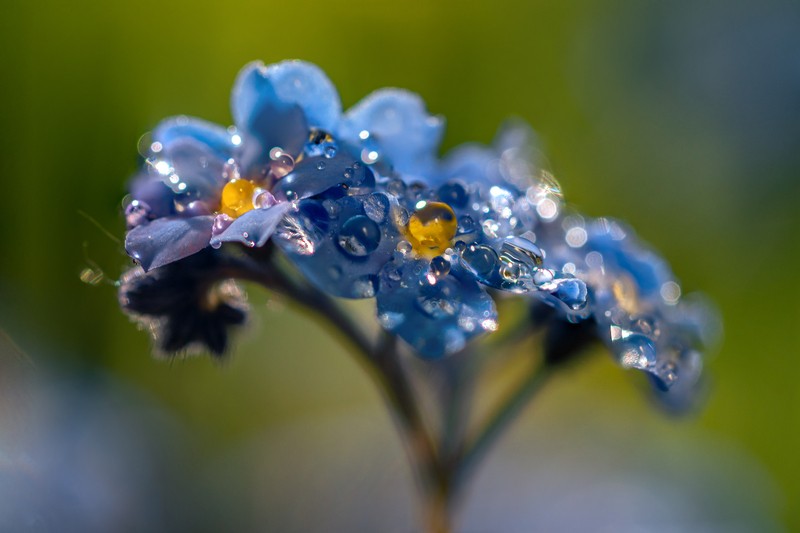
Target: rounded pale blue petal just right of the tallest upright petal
[(399, 127)]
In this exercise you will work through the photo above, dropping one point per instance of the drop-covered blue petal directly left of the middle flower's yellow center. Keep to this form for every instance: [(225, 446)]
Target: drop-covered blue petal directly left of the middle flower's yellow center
[(341, 244)]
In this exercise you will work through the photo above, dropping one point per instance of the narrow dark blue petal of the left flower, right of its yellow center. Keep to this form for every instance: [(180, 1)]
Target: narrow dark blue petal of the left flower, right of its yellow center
[(315, 175)]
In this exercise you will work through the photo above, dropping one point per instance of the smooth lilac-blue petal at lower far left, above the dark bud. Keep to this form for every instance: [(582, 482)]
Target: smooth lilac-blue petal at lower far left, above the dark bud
[(165, 240)]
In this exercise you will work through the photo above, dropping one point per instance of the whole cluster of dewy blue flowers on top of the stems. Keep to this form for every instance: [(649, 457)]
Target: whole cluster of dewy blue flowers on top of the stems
[(361, 204)]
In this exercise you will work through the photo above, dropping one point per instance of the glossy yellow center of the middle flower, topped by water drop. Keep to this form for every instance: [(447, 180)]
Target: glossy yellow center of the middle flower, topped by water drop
[(431, 228)]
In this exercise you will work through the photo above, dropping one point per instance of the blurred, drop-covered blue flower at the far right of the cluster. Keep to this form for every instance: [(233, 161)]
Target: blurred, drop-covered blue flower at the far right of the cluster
[(635, 301)]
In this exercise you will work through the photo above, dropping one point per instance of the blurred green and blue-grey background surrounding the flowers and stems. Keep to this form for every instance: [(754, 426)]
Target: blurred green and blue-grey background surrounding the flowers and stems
[(681, 117)]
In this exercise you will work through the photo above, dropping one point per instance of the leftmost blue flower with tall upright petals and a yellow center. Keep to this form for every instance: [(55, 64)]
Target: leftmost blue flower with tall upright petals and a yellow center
[(204, 184)]
